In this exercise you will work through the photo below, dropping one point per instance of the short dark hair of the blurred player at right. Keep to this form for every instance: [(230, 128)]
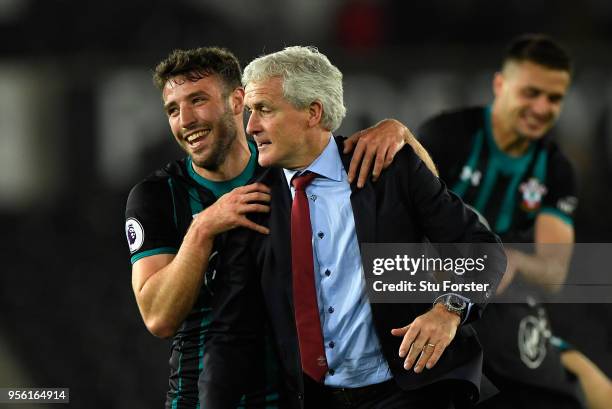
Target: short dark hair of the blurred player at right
[(540, 49)]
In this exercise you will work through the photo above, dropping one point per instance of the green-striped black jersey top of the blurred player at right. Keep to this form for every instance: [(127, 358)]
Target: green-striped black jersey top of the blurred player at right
[(508, 191)]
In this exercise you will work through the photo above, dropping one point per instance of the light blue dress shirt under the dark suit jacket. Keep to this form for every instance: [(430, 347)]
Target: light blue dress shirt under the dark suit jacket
[(352, 347)]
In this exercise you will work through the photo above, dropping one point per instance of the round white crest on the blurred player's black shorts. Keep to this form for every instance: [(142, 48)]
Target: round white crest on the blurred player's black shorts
[(532, 337)]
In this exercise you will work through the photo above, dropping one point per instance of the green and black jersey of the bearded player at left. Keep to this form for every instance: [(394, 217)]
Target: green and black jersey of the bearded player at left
[(158, 213)]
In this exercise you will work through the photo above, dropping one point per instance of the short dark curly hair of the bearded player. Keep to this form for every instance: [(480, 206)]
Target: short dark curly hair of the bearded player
[(197, 63)]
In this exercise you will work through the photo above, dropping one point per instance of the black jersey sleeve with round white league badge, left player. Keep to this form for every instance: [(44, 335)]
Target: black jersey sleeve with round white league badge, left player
[(150, 220)]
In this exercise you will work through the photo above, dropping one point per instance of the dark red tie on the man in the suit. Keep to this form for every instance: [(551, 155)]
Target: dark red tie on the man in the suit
[(307, 320)]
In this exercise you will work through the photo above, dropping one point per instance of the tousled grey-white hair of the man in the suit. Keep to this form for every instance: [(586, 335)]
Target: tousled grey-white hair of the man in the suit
[(308, 76)]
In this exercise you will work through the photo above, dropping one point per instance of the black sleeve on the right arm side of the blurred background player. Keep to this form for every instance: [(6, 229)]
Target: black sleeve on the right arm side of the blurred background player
[(561, 200)]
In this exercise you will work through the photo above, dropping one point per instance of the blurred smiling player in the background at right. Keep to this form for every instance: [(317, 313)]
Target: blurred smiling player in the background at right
[(503, 160)]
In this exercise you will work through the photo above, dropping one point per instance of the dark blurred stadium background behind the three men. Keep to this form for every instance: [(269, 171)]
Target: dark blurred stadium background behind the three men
[(81, 122)]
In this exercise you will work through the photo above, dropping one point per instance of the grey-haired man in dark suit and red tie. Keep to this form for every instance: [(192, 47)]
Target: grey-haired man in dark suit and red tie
[(349, 353)]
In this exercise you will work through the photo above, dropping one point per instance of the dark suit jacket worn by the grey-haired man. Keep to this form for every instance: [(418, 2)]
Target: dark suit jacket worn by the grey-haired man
[(408, 204)]
